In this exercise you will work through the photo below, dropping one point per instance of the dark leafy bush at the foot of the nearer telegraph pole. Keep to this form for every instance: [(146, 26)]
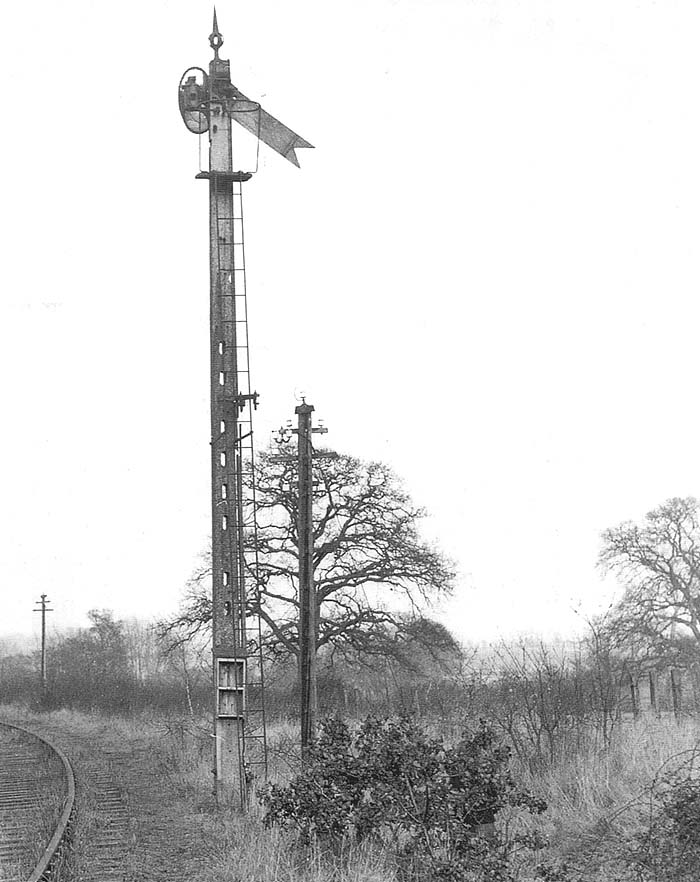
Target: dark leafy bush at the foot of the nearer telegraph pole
[(432, 804)]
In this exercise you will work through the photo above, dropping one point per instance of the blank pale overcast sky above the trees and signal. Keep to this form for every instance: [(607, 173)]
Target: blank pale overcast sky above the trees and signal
[(485, 274)]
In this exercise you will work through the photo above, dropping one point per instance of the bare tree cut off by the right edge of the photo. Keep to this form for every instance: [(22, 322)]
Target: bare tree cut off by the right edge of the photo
[(658, 562)]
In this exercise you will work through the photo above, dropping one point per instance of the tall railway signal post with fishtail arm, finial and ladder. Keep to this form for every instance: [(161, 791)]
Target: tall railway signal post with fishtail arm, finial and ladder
[(210, 103)]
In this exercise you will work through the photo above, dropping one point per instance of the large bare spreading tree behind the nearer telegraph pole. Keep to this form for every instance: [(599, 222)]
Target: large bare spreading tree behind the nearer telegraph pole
[(373, 573)]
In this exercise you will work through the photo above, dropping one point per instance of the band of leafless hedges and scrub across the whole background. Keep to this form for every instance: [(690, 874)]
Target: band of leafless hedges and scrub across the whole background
[(546, 698)]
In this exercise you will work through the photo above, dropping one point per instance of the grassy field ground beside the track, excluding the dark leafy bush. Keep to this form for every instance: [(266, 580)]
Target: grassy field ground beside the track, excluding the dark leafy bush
[(599, 820)]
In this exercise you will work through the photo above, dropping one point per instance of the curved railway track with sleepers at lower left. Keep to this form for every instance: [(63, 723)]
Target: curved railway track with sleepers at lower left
[(37, 801)]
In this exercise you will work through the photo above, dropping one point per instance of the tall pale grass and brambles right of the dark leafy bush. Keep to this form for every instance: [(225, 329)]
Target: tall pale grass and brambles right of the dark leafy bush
[(629, 812)]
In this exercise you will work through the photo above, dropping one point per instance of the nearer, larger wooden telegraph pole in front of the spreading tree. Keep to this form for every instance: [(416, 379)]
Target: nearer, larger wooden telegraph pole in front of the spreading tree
[(308, 606)]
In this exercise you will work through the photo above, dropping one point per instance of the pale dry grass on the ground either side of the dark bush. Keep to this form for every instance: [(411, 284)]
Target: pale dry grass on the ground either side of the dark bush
[(598, 800)]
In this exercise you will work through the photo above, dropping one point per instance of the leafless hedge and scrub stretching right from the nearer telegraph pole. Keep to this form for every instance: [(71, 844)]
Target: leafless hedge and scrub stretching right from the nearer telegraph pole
[(545, 698)]
